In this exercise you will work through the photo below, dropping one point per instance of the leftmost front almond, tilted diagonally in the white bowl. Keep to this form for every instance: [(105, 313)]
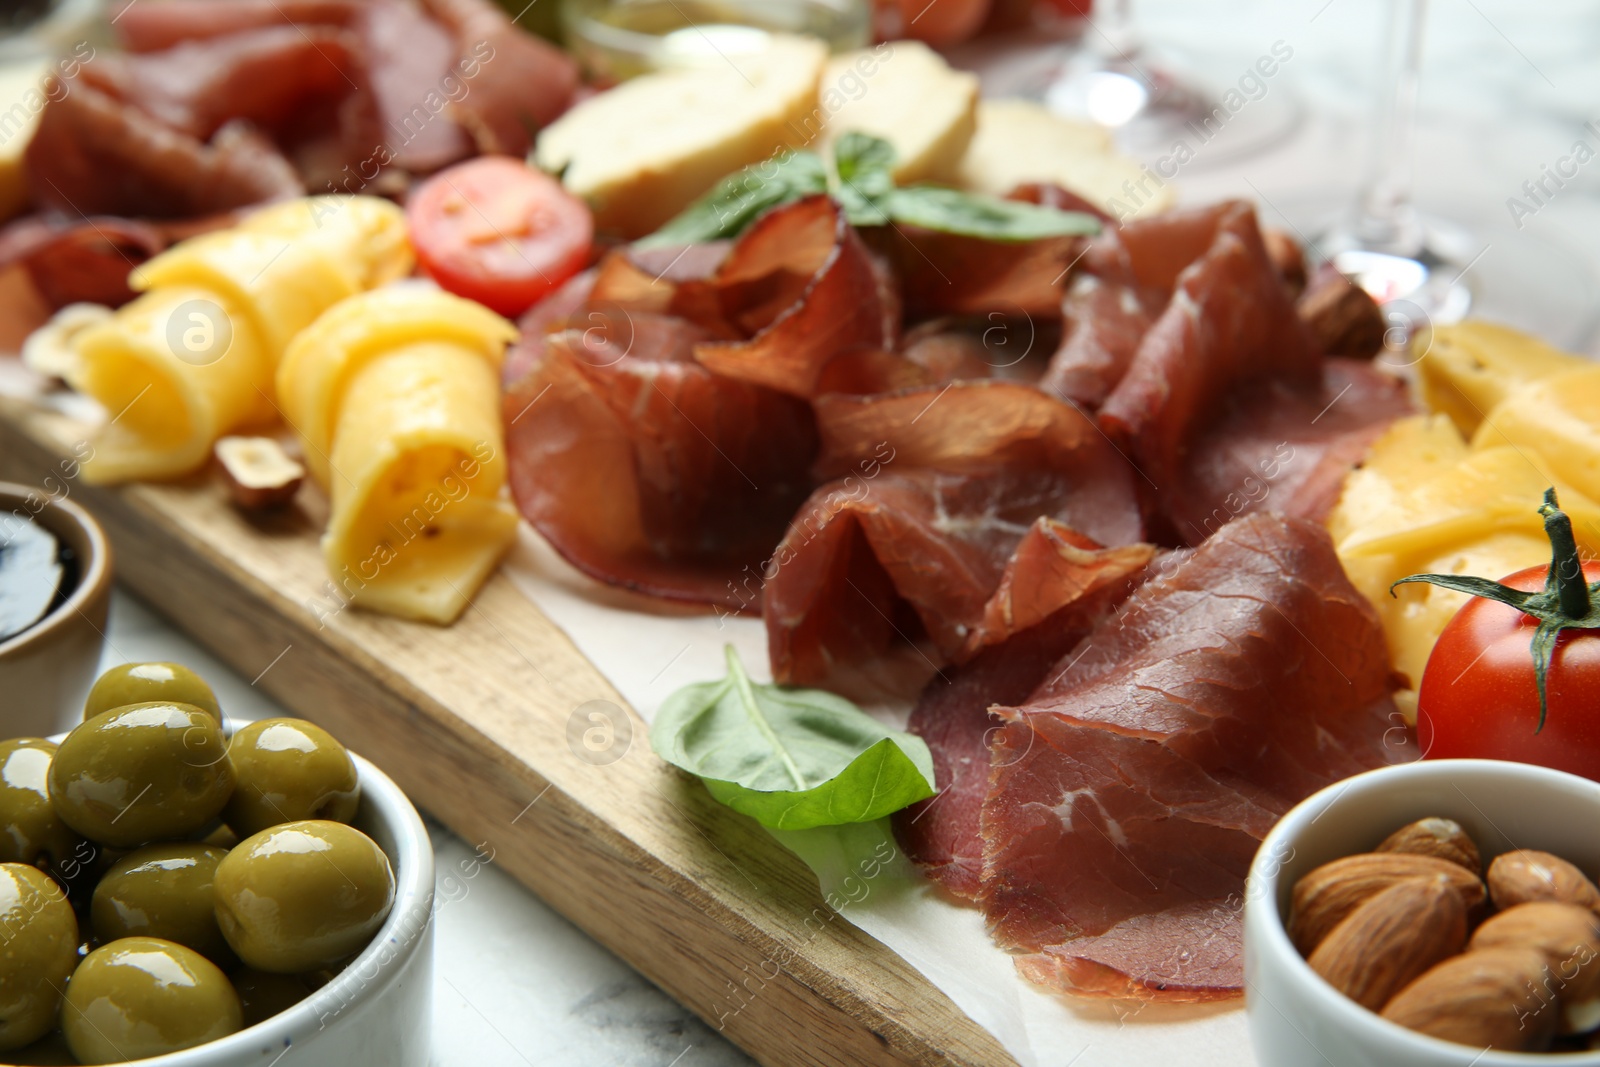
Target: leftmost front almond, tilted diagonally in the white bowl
[(1391, 940)]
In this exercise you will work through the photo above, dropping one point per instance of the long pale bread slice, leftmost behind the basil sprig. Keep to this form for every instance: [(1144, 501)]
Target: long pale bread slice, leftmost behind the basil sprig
[(649, 148)]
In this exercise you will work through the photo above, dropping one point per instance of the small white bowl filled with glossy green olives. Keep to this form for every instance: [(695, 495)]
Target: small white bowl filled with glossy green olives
[(186, 892)]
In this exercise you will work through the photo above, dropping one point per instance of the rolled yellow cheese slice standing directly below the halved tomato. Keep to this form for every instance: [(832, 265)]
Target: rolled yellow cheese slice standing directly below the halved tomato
[(396, 398)]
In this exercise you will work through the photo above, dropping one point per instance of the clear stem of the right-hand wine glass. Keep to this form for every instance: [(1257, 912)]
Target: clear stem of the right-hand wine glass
[(1386, 217)]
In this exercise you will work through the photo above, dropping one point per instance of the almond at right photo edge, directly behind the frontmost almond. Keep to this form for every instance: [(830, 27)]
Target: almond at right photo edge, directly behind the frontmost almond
[(1570, 940)]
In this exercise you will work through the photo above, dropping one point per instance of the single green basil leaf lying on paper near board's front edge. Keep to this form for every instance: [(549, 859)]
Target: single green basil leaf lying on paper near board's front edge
[(791, 759)]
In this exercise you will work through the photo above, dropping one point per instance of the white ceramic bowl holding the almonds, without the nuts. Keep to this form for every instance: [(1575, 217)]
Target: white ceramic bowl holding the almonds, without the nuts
[(1297, 1020)]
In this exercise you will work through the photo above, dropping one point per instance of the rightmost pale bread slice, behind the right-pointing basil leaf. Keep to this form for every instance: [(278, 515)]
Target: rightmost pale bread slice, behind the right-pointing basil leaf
[(1020, 142)]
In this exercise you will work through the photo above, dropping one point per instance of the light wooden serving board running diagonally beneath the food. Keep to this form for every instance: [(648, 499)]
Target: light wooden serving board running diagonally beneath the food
[(473, 722)]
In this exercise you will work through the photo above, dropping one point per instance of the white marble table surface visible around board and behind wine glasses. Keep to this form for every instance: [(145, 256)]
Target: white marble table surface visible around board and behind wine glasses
[(1508, 89)]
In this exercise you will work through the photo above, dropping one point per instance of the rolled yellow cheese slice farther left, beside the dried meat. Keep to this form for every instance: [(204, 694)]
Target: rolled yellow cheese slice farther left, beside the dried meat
[(194, 358)]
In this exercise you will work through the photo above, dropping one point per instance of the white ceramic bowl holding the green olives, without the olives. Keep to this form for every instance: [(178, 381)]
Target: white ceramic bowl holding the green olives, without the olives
[(378, 1013)]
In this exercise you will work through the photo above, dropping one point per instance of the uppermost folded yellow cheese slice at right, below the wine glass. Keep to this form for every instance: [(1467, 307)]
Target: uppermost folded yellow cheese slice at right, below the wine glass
[(1468, 369)]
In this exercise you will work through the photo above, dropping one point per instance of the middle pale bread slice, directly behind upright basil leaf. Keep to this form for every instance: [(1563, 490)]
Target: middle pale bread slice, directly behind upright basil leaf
[(908, 95)]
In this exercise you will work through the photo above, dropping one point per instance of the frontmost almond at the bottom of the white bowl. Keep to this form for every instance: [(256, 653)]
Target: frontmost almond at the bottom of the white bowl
[(1489, 999)]
